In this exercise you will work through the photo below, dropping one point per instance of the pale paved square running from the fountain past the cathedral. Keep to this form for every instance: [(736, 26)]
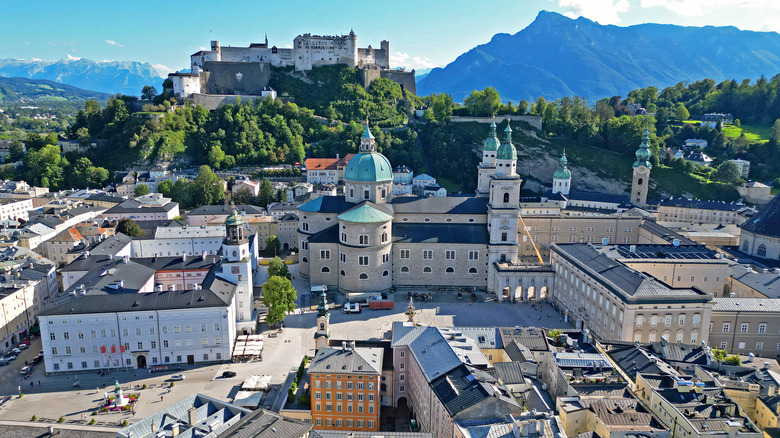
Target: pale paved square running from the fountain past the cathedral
[(56, 397)]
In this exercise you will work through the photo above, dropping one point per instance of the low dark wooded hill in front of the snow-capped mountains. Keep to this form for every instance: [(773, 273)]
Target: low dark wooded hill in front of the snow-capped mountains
[(17, 89)]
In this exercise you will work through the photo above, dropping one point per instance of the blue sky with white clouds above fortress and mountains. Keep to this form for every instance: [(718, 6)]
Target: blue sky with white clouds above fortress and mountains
[(421, 33)]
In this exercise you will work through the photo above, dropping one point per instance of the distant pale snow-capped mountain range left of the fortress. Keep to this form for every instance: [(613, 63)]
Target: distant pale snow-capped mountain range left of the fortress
[(126, 77)]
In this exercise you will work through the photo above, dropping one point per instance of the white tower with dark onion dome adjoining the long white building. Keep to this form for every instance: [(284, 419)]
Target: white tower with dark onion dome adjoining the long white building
[(237, 269)]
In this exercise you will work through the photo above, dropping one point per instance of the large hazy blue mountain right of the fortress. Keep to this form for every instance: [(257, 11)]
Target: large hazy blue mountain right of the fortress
[(556, 56)]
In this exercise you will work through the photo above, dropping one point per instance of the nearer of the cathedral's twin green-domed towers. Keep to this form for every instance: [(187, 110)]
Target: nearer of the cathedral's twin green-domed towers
[(504, 204)]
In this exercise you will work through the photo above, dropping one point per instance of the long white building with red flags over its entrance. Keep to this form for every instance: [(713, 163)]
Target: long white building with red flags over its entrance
[(138, 330)]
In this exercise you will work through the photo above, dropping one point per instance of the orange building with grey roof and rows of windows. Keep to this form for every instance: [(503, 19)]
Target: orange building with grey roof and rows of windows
[(345, 384)]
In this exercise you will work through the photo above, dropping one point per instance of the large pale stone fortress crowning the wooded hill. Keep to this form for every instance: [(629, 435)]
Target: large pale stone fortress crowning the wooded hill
[(246, 71)]
